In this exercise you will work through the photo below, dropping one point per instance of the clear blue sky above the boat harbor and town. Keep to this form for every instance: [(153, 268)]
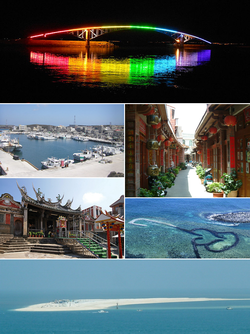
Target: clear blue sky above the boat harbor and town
[(61, 114)]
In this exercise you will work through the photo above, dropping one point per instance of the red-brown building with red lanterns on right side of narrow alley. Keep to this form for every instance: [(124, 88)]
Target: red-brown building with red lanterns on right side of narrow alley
[(223, 142)]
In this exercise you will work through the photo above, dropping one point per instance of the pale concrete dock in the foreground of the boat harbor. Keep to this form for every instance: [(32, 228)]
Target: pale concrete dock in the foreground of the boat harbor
[(89, 168)]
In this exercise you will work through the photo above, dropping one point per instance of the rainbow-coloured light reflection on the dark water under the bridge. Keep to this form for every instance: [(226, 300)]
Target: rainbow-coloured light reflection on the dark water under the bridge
[(102, 68)]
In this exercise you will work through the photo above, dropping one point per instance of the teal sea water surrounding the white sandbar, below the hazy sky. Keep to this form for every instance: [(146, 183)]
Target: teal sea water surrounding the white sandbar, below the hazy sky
[(199, 317)]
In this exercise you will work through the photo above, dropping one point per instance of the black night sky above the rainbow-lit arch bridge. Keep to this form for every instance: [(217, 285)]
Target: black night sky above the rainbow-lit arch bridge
[(213, 20)]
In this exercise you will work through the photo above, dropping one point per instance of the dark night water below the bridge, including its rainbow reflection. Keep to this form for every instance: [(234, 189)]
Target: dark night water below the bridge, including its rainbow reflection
[(125, 74)]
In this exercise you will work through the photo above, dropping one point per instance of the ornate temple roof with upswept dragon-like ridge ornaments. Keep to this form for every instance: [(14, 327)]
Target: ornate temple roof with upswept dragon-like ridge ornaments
[(47, 204)]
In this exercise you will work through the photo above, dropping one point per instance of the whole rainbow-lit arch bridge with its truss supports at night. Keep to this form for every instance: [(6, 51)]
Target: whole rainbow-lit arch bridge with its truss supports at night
[(91, 33)]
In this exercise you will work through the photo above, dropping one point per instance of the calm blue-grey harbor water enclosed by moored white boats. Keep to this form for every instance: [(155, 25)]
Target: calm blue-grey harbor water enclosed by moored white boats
[(36, 151)]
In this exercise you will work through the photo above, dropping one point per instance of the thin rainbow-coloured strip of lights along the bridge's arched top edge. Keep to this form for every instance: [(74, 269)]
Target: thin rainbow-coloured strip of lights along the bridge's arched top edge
[(174, 33)]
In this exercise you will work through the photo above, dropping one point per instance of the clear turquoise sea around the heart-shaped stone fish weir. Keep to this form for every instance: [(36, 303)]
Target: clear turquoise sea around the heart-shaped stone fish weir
[(177, 228)]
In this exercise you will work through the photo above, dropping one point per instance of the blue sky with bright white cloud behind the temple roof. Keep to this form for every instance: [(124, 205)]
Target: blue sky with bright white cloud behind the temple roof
[(84, 191)]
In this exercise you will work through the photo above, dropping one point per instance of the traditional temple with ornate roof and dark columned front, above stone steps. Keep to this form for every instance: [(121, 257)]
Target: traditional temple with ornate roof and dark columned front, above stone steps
[(33, 215)]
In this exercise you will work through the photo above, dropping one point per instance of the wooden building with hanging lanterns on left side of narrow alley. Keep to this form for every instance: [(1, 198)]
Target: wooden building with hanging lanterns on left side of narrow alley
[(150, 141)]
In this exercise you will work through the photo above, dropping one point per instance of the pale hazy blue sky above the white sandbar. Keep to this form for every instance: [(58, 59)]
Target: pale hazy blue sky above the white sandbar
[(126, 278)]
